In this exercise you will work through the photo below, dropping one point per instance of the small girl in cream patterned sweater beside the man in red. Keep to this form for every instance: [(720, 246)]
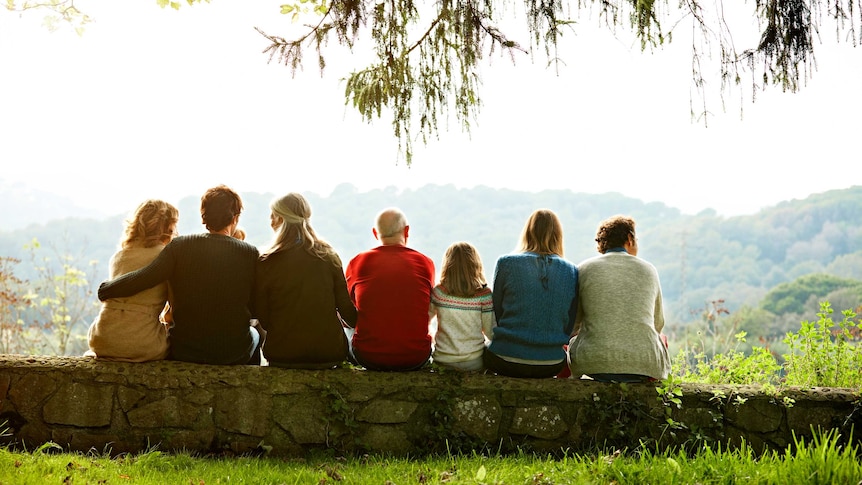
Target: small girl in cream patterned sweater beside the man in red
[(463, 306)]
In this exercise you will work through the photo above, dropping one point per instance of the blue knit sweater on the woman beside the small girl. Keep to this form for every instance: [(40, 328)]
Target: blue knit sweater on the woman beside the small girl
[(535, 302)]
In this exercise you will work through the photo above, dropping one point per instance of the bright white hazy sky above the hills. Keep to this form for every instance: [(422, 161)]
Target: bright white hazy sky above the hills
[(159, 103)]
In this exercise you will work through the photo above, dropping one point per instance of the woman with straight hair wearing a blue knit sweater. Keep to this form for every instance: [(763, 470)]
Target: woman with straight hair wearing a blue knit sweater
[(535, 303)]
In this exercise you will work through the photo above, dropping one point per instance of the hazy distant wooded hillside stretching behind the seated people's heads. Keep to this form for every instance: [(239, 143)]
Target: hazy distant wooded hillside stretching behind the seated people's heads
[(699, 258)]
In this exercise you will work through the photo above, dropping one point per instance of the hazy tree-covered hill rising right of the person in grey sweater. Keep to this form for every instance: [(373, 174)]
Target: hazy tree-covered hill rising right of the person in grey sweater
[(739, 259)]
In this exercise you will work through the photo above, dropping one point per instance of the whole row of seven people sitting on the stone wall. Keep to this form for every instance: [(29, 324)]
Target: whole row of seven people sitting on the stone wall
[(213, 298)]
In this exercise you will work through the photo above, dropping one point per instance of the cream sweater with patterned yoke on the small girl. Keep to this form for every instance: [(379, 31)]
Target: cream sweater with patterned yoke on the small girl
[(462, 324)]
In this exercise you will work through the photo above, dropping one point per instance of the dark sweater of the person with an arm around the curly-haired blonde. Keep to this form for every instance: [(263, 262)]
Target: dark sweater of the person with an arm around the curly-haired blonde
[(211, 278)]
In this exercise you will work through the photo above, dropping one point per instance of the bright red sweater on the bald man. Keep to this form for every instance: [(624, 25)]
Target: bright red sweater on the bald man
[(391, 289)]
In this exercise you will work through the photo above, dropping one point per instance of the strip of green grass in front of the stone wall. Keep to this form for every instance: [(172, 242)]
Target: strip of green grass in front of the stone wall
[(822, 461)]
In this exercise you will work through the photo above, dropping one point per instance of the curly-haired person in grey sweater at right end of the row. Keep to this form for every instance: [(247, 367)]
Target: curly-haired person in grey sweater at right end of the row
[(620, 317)]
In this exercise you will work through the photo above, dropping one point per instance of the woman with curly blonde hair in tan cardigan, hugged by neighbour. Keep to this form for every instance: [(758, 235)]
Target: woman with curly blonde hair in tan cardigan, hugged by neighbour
[(128, 329)]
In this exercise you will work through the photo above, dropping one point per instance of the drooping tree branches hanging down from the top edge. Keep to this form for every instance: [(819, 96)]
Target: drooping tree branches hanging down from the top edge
[(427, 56)]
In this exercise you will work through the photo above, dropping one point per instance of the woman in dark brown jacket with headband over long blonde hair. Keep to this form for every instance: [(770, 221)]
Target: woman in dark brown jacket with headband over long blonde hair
[(301, 296)]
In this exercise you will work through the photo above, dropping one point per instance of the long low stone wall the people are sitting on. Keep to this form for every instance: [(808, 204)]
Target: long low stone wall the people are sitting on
[(85, 405)]
